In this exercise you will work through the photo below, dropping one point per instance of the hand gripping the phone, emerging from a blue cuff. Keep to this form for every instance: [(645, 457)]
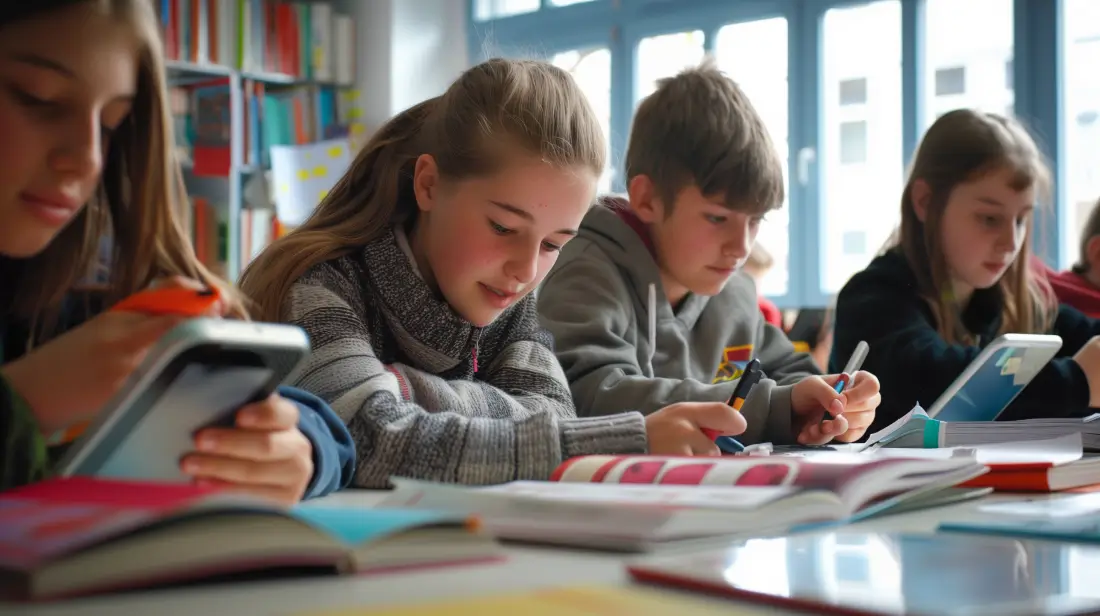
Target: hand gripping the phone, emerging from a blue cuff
[(265, 455)]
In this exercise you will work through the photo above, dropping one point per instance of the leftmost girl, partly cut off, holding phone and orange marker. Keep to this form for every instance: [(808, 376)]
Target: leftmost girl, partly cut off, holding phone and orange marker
[(86, 153)]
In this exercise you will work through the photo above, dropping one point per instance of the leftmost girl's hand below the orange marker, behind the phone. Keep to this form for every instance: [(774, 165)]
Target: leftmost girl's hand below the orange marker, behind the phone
[(70, 379)]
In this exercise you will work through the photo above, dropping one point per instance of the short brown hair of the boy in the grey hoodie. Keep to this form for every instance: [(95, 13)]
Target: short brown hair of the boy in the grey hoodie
[(700, 128)]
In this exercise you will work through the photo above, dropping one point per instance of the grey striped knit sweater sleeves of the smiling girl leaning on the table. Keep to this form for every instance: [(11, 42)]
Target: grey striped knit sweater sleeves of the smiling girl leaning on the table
[(519, 424)]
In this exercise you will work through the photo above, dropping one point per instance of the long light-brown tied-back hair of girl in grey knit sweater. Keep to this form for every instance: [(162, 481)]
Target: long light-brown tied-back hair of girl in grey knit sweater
[(494, 106)]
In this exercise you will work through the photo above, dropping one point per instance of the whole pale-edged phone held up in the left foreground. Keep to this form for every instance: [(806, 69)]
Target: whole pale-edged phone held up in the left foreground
[(199, 376)]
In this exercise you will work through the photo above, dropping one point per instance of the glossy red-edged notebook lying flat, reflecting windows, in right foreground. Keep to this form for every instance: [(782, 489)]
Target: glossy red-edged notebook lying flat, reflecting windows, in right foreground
[(857, 574)]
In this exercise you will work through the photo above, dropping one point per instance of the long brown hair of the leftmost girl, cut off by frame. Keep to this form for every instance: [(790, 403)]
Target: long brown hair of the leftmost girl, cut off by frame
[(140, 199)]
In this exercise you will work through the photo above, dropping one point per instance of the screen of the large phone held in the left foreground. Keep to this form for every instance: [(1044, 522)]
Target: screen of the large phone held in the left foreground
[(151, 437)]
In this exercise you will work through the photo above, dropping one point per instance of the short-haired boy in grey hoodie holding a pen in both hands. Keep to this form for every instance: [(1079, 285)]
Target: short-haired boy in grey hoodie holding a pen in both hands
[(647, 305)]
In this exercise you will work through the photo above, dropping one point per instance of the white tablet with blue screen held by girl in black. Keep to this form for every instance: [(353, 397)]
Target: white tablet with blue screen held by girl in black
[(996, 378)]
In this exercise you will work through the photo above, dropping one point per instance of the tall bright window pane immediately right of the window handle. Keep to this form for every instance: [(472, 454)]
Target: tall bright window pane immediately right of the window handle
[(862, 156)]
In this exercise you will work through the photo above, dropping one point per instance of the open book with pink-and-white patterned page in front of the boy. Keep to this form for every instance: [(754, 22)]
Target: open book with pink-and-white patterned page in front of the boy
[(641, 502)]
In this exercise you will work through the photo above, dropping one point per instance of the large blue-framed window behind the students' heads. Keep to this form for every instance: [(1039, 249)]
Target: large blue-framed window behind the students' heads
[(835, 83)]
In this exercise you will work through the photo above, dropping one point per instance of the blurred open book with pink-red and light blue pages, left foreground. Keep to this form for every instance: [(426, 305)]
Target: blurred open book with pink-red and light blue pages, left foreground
[(81, 536)]
